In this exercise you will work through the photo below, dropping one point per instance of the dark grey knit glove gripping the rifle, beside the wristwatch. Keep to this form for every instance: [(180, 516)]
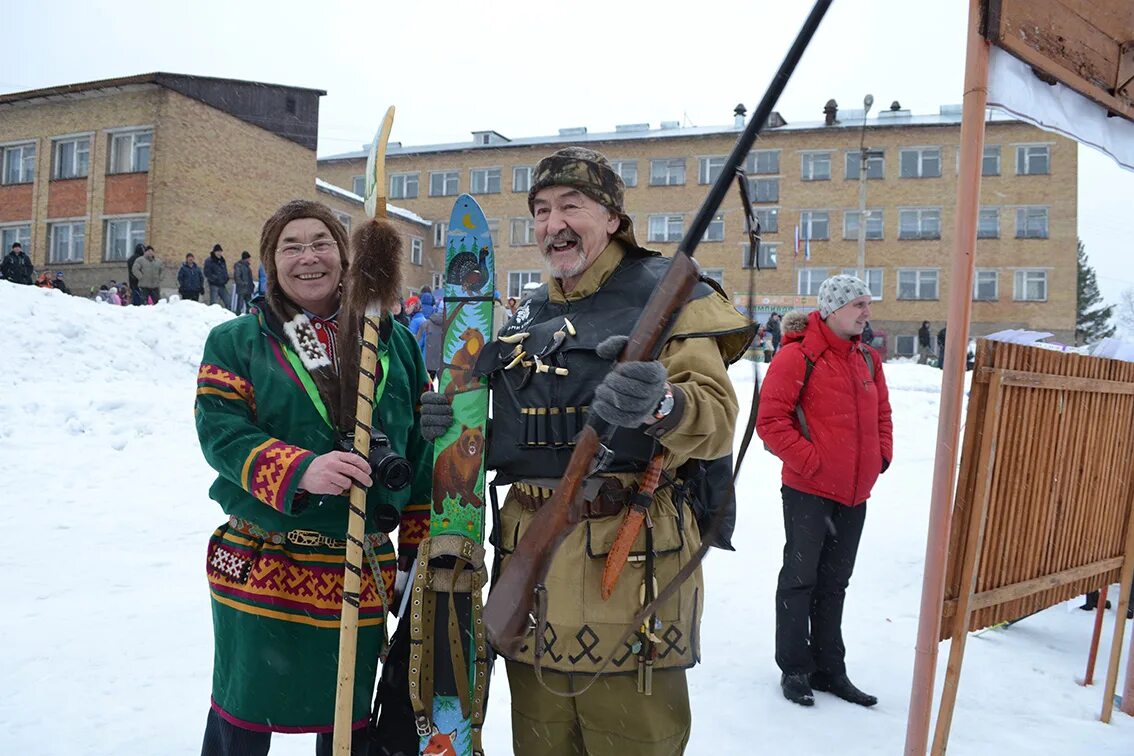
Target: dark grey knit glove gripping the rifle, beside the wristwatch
[(632, 392)]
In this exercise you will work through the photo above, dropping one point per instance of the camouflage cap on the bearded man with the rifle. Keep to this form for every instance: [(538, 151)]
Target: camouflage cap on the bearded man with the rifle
[(590, 173)]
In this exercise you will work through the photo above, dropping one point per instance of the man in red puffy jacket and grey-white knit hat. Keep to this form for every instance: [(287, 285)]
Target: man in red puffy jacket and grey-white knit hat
[(824, 411)]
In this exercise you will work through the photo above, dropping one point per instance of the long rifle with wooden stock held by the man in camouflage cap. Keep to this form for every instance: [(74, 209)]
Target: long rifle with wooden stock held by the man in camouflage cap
[(509, 614)]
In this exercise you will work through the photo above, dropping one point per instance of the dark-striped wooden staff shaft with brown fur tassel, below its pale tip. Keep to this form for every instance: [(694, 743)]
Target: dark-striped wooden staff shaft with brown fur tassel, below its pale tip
[(371, 286)]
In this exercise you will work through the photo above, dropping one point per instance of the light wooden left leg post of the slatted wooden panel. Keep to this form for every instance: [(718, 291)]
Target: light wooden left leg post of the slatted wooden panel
[(970, 565)]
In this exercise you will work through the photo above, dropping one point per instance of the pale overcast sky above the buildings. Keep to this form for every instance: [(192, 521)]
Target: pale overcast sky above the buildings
[(528, 69)]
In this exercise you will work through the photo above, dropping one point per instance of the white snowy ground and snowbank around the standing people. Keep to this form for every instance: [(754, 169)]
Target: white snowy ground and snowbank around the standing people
[(106, 645)]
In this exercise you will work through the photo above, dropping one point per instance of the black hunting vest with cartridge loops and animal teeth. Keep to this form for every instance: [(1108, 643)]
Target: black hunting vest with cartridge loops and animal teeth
[(540, 403)]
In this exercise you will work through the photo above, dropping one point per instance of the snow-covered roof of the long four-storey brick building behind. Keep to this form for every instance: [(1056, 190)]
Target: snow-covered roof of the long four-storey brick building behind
[(850, 120)]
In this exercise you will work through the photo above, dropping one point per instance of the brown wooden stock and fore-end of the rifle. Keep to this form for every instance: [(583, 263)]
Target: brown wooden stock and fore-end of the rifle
[(510, 607)]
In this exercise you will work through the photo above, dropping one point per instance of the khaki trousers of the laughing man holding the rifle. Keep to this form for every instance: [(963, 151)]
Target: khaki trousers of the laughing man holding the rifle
[(611, 718)]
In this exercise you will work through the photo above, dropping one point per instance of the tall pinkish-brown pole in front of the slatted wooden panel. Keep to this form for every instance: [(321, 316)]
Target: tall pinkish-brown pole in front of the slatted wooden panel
[(949, 426)]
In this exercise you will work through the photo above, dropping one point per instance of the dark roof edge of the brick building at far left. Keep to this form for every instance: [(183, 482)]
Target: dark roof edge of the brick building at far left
[(289, 112)]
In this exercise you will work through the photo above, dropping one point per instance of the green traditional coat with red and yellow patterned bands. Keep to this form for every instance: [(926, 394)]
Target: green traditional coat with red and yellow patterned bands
[(277, 593)]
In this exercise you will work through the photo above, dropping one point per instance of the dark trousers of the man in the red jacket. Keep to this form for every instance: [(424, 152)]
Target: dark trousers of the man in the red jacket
[(823, 541)]
